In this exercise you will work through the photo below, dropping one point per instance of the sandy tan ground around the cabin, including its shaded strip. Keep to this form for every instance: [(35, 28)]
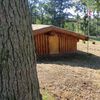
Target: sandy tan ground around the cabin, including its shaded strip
[(74, 77)]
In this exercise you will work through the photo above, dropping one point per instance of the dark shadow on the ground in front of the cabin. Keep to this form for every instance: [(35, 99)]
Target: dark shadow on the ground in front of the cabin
[(79, 59)]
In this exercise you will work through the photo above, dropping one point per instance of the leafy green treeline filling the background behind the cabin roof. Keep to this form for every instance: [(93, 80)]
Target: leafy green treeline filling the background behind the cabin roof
[(56, 12)]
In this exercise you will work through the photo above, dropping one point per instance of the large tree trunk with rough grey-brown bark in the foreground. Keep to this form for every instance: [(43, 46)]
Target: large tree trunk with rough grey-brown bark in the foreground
[(18, 76)]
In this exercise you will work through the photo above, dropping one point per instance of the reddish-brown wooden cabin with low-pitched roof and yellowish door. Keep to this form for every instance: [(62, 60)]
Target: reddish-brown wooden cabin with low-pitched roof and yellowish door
[(54, 40)]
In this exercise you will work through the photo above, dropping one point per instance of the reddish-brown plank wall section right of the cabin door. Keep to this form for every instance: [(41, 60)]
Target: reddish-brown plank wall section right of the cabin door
[(67, 44)]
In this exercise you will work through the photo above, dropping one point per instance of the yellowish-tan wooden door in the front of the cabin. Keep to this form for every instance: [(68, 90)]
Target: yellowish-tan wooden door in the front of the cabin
[(53, 44)]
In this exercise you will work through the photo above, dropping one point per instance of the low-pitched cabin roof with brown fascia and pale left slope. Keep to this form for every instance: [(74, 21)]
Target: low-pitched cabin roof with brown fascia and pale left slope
[(39, 29)]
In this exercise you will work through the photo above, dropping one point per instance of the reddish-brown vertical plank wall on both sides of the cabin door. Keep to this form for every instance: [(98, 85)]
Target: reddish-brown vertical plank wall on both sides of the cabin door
[(67, 44)]
